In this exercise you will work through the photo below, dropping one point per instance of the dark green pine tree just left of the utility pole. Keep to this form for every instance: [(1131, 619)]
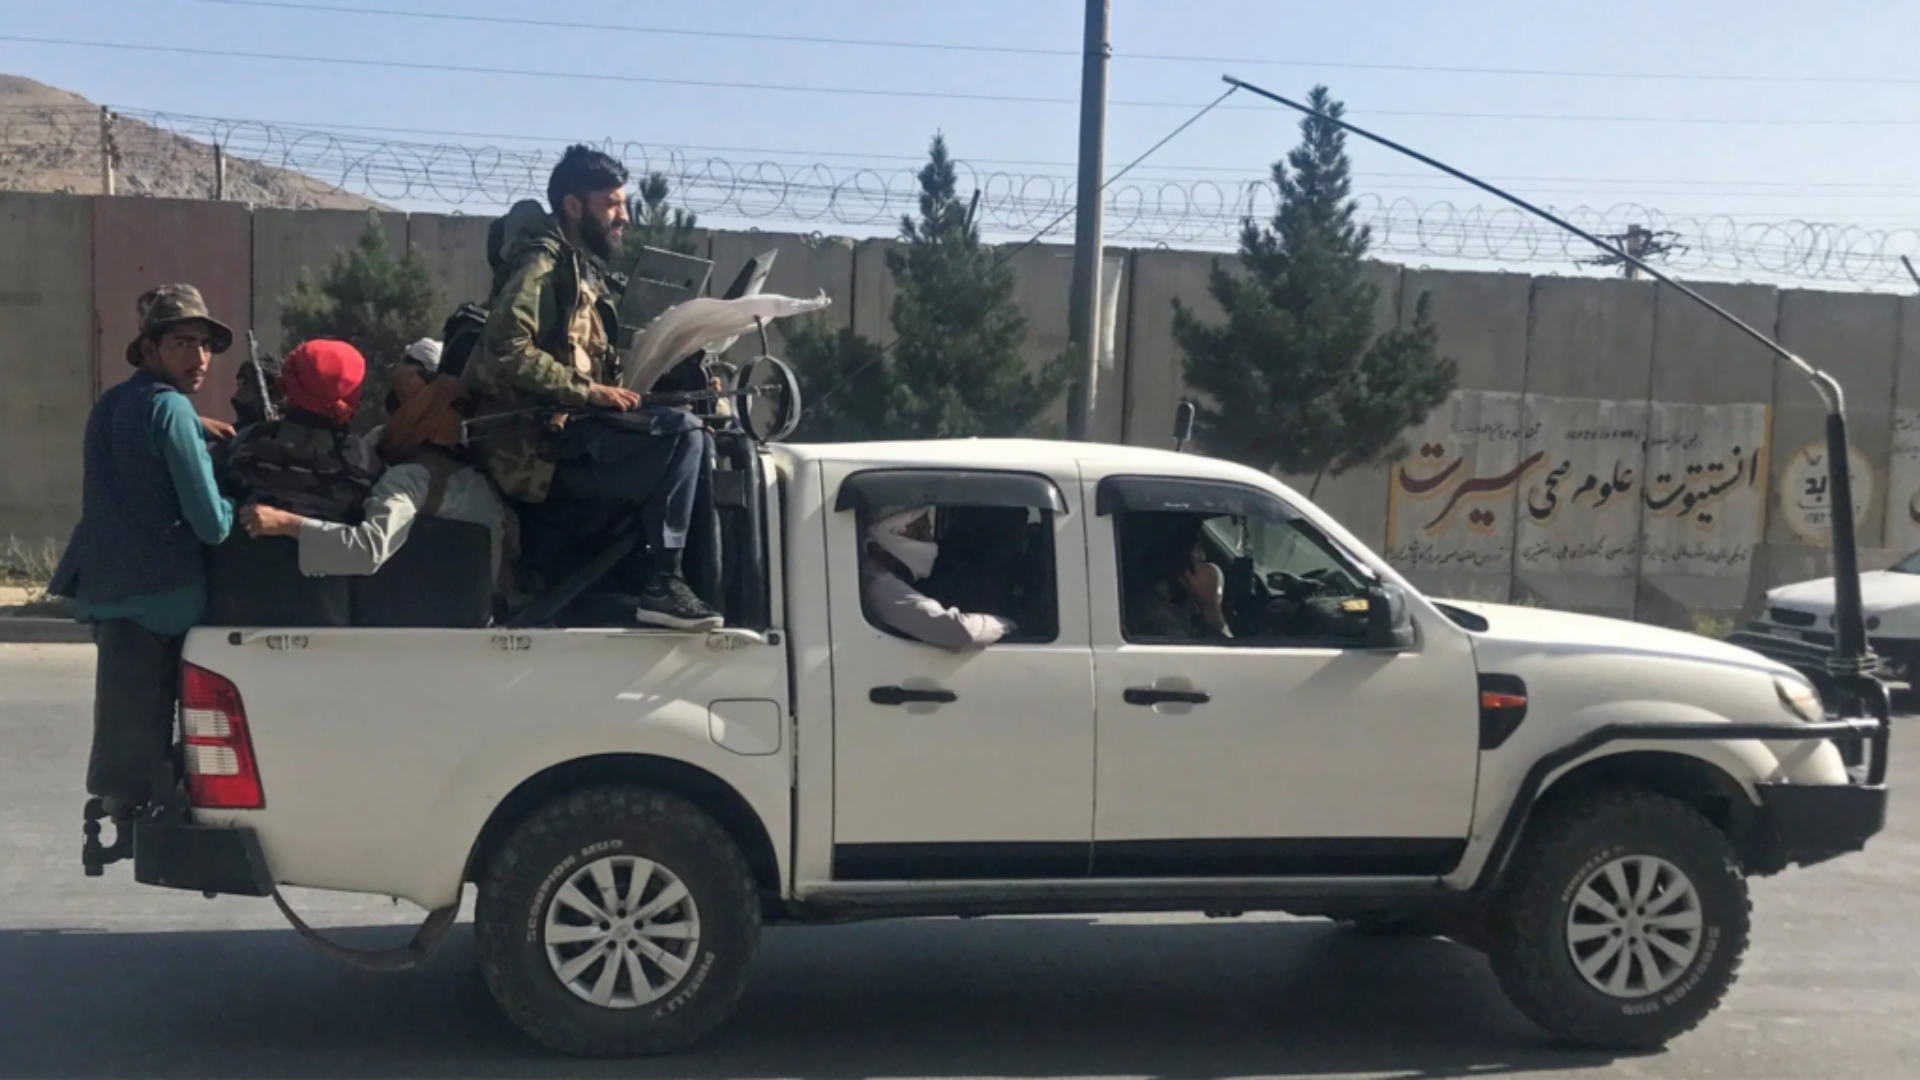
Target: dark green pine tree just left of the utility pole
[(957, 370)]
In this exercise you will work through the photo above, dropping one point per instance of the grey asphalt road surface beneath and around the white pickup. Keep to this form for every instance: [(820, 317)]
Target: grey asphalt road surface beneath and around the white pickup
[(108, 979)]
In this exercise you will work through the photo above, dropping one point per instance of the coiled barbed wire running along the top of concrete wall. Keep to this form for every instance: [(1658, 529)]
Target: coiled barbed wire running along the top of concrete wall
[(274, 164)]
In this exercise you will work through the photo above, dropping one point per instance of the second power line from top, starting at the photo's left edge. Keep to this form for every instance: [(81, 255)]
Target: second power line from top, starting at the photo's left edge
[(898, 93)]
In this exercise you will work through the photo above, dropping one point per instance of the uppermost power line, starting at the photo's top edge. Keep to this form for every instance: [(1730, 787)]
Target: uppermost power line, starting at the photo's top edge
[(1061, 53)]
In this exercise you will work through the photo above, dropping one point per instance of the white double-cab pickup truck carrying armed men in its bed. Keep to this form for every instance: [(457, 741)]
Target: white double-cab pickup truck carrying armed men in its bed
[(1581, 798)]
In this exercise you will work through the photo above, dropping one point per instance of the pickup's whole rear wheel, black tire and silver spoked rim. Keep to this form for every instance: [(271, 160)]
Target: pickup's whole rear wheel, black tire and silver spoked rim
[(617, 921)]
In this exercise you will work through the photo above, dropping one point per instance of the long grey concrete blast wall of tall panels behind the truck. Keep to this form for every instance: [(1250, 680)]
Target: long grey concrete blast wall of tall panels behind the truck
[(1610, 449)]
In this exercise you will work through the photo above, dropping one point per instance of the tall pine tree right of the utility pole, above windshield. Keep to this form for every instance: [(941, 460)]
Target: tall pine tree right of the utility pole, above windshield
[(1299, 380)]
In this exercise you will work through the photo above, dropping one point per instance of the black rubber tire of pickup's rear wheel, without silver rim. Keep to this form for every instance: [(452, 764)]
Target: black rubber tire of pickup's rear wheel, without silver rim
[(510, 921)]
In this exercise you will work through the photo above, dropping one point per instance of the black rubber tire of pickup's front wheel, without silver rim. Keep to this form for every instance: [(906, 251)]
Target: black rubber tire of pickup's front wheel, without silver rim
[(1562, 850)]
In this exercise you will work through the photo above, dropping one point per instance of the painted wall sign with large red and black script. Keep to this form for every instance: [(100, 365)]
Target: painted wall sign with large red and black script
[(1583, 487)]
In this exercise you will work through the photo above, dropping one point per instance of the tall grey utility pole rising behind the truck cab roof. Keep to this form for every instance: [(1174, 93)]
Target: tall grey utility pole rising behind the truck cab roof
[(1090, 255)]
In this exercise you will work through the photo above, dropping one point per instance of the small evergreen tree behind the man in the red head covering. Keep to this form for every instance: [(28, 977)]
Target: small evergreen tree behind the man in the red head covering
[(366, 297)]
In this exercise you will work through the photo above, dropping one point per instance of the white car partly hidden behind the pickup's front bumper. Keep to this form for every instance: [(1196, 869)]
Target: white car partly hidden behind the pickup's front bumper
[(1804, 616)]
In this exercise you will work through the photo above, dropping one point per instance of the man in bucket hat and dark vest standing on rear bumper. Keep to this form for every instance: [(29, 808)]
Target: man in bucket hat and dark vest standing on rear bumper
[(135, 568)]
